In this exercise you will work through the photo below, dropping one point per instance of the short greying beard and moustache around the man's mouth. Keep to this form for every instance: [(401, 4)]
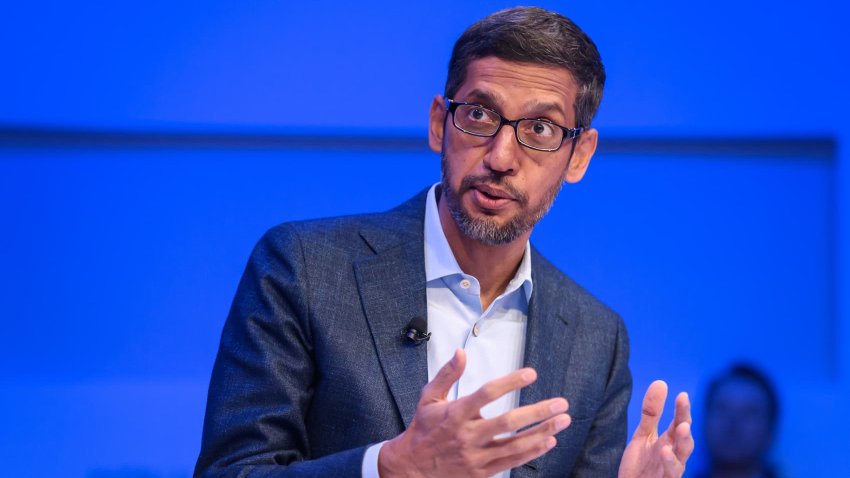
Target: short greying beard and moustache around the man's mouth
[(487, 230)]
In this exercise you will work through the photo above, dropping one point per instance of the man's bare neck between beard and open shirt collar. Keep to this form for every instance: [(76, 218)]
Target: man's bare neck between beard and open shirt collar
[(493, 265)]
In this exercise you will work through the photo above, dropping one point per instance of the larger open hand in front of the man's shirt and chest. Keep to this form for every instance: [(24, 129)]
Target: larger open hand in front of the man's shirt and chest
[(450, 438)]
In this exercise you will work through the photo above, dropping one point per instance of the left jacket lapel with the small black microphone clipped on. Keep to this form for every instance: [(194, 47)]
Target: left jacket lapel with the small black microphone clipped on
[(392, 291)]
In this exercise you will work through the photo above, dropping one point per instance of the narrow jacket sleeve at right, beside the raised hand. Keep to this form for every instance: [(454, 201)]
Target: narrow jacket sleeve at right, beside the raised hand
[(606, 441)]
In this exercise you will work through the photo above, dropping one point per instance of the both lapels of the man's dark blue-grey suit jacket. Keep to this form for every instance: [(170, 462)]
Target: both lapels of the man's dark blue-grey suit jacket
[(392, 291)]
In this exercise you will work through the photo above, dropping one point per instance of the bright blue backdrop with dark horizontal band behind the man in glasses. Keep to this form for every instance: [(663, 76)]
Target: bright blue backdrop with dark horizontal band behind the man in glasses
[(145, 147)]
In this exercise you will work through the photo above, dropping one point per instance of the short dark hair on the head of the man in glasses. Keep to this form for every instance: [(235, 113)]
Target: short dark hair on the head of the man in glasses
[(537, 36)]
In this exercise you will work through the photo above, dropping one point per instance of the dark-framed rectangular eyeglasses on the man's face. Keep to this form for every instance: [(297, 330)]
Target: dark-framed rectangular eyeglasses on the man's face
[(539, 134)]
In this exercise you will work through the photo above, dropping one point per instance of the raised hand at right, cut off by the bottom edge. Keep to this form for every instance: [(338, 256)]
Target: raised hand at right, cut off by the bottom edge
[(649, 455)]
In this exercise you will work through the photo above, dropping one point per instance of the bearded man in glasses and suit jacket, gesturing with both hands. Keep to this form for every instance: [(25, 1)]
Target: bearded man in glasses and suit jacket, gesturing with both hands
[(324, 369)]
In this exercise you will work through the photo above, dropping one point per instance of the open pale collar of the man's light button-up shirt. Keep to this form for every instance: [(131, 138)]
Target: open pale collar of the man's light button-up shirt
[(440, 260)]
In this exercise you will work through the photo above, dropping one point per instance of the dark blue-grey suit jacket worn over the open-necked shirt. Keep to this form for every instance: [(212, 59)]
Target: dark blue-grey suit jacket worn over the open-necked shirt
[(313, 367)]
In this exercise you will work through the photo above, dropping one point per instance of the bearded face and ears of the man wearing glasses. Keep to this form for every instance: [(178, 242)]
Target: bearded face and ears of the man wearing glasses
[(496, 189)]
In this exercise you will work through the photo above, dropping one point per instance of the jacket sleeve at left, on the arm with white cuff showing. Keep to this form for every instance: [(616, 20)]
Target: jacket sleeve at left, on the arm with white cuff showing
[(263, 379)]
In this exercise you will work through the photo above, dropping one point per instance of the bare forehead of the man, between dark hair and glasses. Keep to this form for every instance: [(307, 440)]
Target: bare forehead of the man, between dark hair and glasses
[(519, 86)]
